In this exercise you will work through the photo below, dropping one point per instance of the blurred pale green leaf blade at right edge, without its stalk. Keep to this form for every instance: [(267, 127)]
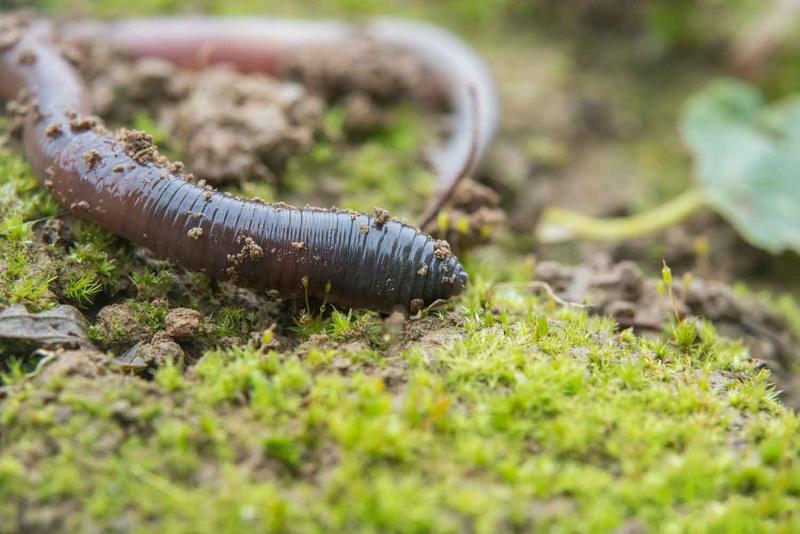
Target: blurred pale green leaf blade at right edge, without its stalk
[(747, 155)]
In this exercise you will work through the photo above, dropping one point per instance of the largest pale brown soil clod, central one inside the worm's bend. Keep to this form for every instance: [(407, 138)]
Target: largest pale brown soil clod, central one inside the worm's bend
[(243, 126)]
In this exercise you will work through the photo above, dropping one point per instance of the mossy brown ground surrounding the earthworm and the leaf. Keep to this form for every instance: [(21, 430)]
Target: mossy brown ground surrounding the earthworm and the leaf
[(210, 408)]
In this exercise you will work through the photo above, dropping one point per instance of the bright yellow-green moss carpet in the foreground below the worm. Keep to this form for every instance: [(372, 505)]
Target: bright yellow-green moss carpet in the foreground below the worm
[(536, 417)]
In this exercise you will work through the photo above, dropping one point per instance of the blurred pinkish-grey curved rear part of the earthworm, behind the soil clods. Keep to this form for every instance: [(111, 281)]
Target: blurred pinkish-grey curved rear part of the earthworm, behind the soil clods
[(267, 44)]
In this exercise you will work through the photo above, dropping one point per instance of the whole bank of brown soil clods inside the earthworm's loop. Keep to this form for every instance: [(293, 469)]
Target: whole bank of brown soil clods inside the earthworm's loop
[(231, 126)]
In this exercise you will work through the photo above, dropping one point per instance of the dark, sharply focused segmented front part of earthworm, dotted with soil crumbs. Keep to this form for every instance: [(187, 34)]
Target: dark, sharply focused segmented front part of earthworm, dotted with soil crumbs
[(120, 182)]
